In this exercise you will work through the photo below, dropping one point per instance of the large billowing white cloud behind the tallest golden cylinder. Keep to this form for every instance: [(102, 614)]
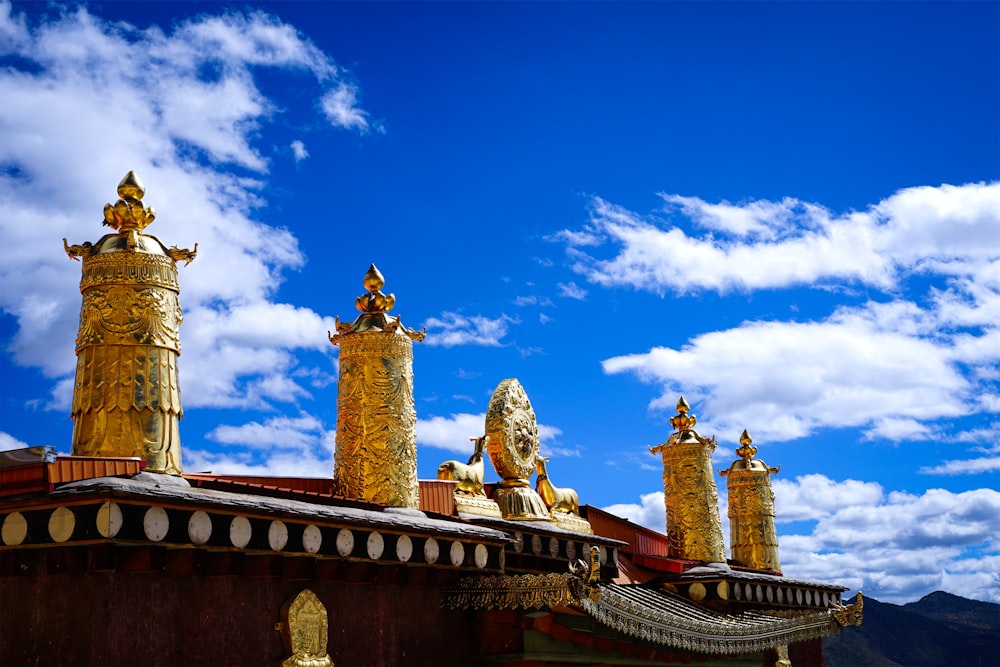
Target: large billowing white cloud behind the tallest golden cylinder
[(86, 100)]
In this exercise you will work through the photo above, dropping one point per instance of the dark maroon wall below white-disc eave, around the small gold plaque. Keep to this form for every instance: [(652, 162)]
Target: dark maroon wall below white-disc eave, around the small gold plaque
[(113, 618)]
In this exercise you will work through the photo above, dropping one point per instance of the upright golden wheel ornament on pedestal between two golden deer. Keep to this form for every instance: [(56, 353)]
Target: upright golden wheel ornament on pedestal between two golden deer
[(513, 446)]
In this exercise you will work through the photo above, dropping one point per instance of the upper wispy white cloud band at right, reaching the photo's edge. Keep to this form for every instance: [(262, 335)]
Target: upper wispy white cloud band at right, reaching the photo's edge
[(905, 232)]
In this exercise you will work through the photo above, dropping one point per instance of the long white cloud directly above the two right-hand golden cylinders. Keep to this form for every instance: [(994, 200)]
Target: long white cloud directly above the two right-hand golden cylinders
[(783, 380)]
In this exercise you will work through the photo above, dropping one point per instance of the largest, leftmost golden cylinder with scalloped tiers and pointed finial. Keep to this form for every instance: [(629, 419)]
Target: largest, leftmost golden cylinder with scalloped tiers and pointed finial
[(126, 399)]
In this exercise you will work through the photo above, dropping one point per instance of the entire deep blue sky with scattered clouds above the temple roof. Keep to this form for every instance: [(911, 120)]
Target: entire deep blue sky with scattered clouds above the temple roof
[(788, 213)]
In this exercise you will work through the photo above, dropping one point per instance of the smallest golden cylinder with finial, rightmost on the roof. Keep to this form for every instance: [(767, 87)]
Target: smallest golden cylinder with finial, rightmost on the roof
[(752, 537)]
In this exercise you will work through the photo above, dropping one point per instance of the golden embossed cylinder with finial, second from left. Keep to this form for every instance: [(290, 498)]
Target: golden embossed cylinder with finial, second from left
[(376, 455)]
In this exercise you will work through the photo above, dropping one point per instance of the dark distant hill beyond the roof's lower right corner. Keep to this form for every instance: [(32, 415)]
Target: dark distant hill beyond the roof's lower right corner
[(939, 630)]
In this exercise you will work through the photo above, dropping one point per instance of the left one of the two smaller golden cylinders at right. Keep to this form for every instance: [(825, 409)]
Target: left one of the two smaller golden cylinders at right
[(694, 528)]
